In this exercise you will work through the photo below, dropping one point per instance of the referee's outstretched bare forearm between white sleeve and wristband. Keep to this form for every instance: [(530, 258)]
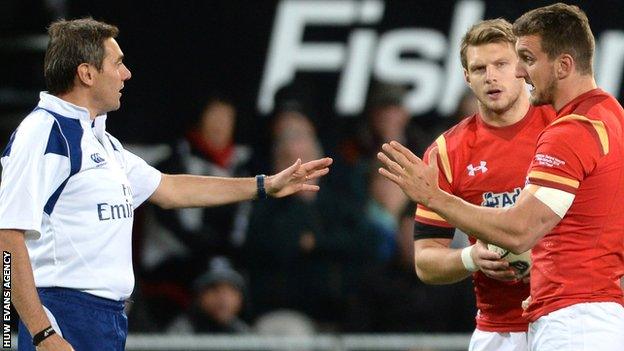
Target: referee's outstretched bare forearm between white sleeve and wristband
[(176, 191)]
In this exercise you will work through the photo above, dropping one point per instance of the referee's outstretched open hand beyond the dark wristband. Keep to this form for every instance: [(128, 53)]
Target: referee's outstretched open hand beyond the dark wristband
[(296, 177)]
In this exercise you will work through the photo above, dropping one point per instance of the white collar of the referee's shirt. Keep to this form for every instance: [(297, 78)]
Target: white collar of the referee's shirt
[(69, 110)]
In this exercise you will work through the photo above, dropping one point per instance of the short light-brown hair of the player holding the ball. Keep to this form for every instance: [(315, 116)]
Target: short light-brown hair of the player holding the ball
[(496, 30)]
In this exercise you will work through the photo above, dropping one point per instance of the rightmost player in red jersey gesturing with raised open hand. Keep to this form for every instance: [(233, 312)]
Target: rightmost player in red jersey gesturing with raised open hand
[(571, 211)]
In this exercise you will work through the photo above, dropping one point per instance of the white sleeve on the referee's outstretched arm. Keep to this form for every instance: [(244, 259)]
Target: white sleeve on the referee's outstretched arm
[(144, 179)]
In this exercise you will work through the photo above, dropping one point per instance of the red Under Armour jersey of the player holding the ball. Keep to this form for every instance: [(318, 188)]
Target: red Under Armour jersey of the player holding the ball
[(487, 166)]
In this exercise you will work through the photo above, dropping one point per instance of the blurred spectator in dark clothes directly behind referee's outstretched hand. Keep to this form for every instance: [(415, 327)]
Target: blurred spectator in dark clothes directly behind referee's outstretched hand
[(307, 257)]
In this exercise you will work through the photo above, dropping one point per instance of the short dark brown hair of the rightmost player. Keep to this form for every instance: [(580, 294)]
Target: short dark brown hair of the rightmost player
[(563, 29)]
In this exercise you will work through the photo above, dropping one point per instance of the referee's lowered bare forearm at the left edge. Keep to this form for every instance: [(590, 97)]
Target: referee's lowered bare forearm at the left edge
[(24, 297)]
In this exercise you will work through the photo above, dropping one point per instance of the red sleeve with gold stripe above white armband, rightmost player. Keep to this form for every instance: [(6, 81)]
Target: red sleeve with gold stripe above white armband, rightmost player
[(567, 151)]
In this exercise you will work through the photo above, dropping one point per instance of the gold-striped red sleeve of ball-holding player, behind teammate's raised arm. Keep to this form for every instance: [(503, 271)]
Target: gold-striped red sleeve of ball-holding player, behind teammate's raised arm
[(428, 223)]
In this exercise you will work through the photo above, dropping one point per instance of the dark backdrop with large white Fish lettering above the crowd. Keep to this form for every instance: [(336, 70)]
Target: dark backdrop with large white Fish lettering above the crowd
[(180, 51)]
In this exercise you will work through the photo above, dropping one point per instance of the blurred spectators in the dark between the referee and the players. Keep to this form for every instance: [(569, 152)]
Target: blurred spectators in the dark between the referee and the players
[(340, 260)]
